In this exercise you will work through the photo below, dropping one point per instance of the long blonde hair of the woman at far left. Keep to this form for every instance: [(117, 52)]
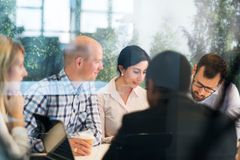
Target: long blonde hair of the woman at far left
[(8, 51)]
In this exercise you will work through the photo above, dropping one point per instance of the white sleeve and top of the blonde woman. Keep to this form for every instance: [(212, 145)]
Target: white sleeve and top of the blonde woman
[(17, 142)]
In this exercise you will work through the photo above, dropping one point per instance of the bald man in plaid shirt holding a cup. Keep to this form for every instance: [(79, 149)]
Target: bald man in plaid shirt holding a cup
[(68, 96)]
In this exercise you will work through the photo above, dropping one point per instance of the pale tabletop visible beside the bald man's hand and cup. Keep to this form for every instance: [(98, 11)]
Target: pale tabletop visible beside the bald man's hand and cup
[(96, 154)]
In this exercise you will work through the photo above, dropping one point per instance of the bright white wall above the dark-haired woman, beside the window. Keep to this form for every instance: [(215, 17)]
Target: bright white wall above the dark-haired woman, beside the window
[(151, 15)]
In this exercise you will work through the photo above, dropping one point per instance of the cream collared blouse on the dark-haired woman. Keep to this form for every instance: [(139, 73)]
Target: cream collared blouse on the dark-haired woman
[(112, 107)]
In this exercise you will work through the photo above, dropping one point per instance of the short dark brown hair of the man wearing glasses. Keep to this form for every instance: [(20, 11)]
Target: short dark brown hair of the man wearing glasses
[(213, 64)]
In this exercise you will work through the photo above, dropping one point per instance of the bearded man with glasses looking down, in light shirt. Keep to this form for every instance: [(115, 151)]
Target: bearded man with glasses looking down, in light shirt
[(207, 87)]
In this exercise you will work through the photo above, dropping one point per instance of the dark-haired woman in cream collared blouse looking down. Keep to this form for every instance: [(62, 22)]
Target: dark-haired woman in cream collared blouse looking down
[(123, 94)]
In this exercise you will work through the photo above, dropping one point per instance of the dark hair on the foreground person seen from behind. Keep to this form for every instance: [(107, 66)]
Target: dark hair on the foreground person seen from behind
[(170, 70)]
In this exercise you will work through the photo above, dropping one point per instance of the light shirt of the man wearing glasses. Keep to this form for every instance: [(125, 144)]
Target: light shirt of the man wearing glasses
[(231, 103)]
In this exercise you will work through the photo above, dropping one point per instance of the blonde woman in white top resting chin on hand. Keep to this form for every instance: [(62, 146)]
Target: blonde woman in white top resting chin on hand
[(12, 129)]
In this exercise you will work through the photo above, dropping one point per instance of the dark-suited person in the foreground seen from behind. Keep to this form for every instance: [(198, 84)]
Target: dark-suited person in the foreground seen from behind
[(176, 128)]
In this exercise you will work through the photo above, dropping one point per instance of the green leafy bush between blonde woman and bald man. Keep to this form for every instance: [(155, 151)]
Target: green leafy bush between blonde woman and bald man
[(43, 56)]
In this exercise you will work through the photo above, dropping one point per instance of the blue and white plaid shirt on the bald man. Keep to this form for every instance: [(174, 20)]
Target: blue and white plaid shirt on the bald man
[(57, 98)]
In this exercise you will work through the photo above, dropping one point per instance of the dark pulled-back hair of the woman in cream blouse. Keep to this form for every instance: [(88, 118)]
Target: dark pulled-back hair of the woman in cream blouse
[(130, 56)]
